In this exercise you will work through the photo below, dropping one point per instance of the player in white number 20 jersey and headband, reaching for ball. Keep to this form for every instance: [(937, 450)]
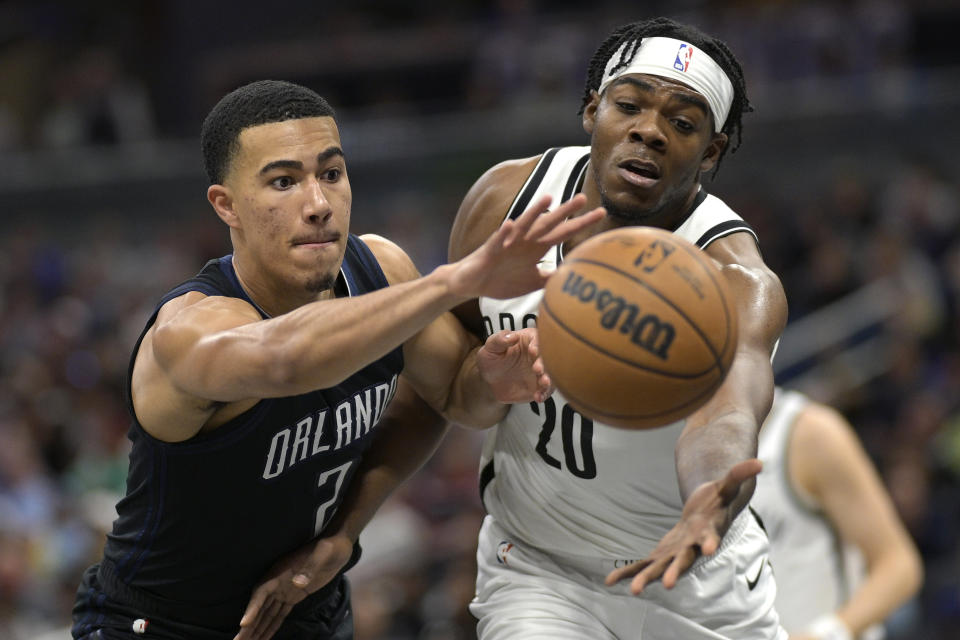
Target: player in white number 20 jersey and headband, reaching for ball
[(572, 503)]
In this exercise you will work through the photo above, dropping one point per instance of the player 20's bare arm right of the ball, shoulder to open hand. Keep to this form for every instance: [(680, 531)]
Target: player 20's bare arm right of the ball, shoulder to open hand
[(715, 454)]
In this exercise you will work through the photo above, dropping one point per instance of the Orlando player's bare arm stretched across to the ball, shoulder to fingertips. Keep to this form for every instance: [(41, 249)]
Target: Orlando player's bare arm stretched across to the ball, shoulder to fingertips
[(208, 351)]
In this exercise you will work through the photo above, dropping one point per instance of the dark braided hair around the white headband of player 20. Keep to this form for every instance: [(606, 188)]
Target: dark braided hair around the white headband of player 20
[(634, 32)]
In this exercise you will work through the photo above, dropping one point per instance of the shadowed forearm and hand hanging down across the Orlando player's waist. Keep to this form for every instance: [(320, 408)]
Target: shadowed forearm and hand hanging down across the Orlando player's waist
[(406, 437)]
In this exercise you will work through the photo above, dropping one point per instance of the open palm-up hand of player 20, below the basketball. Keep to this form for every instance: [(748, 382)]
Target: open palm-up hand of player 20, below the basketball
[(706, 517)]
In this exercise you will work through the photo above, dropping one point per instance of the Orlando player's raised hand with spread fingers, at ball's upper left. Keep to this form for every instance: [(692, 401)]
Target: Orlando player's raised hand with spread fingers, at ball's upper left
[(505, 266)]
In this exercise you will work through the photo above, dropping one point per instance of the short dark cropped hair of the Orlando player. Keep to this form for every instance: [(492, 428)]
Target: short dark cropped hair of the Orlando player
[(253, 104)]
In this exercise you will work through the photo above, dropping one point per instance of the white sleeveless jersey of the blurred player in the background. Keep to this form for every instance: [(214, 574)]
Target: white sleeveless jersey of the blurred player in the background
[(815, 572)]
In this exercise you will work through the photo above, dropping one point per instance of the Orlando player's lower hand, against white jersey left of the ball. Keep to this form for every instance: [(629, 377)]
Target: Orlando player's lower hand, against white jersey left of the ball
[(510, 363)]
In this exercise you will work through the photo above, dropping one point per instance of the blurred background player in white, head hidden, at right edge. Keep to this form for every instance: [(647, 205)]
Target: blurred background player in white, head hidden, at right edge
[(828, 515)]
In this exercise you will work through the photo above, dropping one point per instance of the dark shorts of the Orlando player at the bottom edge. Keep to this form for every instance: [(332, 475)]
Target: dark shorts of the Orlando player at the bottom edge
[(111, 611)]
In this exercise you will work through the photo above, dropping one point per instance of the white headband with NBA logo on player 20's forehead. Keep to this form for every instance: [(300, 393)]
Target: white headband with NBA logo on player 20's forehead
[(678, 60)]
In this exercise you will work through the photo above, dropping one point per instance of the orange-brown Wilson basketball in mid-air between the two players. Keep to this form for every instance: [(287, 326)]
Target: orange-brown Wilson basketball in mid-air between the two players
[(637, 327)]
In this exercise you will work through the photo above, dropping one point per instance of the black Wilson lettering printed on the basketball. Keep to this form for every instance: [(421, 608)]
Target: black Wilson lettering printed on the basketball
[(647, 331)]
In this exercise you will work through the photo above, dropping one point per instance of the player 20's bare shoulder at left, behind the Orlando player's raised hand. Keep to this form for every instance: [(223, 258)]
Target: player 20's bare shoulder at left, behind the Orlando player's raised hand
[(486, 204)]
